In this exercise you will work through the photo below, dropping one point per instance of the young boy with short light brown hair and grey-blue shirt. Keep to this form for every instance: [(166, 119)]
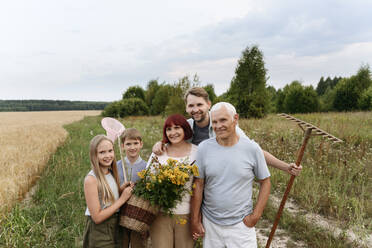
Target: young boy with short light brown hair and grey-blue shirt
[(131, 143)]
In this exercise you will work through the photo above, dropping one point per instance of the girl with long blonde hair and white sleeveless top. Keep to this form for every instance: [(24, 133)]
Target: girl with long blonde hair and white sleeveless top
[(101, 189)]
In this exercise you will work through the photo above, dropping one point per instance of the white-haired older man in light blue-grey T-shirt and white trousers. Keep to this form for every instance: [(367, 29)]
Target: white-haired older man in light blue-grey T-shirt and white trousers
[(228, 165)]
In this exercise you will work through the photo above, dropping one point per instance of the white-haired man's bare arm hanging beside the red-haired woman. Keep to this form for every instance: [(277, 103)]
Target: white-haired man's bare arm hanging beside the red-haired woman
[(196, 226)]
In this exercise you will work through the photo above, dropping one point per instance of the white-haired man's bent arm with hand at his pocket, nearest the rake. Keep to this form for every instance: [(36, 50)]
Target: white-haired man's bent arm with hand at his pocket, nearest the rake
[(263, 196)]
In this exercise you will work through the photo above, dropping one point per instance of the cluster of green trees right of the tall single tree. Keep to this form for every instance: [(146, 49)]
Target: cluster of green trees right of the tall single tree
[(338, 94)]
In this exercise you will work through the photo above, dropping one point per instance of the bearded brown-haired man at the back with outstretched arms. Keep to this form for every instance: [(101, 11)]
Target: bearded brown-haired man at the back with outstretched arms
[(197, 106)]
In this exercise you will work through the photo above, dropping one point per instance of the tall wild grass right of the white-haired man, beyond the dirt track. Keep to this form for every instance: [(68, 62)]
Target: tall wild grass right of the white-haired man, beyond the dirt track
[(336, 179)]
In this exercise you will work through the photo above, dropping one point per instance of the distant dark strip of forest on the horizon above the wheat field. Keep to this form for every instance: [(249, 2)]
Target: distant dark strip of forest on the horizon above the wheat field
[(49, 105)]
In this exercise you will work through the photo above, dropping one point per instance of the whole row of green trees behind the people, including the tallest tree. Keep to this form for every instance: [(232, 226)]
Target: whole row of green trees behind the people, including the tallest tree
[(250, 94)]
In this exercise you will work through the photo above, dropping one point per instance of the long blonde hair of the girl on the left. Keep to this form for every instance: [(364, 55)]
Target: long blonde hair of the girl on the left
[(104, 191)]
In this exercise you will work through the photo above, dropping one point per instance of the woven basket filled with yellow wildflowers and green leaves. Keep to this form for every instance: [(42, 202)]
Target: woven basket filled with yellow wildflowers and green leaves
[(161, 187)]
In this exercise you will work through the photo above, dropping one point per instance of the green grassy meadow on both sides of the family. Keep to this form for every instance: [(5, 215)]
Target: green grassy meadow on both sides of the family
[(336, 180)]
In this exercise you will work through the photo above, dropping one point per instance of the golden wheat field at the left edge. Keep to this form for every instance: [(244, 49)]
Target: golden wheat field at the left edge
[(27, 139)]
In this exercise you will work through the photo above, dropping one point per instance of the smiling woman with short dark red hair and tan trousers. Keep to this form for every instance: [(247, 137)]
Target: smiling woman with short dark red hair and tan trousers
[(165, 231)]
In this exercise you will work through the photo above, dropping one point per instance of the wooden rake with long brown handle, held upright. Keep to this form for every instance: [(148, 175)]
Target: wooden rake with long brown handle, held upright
[(308, 129)]
